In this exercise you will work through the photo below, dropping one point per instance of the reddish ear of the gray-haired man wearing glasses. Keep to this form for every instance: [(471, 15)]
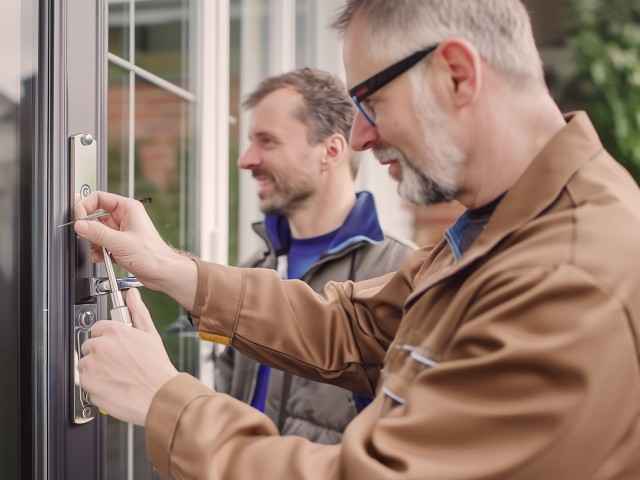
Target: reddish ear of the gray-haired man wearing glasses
[(463, 65)]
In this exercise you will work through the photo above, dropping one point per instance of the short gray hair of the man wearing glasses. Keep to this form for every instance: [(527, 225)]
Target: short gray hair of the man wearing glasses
[(499, 29)]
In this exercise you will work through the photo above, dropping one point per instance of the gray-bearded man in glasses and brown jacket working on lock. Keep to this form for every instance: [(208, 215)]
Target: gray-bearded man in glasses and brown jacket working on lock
[(509, 350)]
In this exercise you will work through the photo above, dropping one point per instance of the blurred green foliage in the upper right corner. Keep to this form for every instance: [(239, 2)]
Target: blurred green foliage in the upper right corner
[(606, 49)]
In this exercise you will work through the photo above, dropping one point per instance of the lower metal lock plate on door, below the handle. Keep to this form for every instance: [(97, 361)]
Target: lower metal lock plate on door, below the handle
[(84, 317)]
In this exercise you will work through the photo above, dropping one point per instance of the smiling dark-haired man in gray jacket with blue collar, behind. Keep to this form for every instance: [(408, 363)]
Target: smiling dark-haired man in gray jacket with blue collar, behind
[(316, 229)]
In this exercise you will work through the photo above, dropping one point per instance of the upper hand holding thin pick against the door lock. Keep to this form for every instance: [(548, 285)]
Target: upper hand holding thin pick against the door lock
[(135, 244)]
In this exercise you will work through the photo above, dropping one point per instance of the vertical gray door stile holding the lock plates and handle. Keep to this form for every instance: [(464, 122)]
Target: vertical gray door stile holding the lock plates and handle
[(76, 37)]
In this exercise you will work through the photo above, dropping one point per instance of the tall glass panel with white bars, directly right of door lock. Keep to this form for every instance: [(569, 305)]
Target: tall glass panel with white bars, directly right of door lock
[(154, 158)]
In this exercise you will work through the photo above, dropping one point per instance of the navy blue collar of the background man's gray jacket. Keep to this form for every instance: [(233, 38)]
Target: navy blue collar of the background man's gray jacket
[(361, 225)]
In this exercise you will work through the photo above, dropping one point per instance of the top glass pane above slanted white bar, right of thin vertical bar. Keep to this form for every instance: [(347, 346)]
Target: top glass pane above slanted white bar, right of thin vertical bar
[(163, 39)]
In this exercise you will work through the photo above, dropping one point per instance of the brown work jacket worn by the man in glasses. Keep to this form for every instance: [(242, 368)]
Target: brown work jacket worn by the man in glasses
[(519, 362)]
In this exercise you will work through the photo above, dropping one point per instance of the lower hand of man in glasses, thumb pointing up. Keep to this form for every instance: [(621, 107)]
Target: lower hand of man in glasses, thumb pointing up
[(123, 367)]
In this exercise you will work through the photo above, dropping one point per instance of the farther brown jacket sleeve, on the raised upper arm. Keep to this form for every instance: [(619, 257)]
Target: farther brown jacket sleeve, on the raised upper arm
[(338, 338)]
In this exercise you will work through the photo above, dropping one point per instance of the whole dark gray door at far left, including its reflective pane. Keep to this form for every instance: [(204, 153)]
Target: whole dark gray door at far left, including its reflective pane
[(51, 71)]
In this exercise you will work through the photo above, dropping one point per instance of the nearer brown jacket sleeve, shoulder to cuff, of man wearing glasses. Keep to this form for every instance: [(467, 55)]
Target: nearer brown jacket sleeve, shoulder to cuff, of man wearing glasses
[(539, 362)]
